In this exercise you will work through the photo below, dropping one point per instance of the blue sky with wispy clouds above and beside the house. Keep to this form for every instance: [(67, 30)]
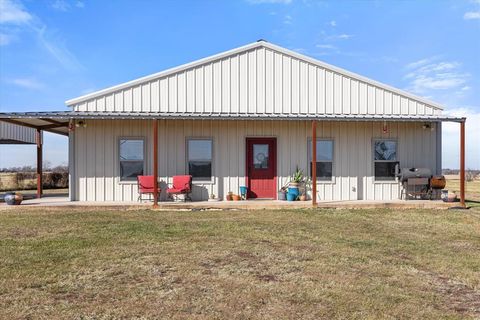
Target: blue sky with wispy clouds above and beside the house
[(54, 50)]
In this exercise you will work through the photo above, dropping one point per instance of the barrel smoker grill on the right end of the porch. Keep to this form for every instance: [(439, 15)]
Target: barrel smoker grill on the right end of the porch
[(419, 183)]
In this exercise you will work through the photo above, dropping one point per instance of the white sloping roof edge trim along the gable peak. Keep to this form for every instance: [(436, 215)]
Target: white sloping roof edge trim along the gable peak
[(246, 48)]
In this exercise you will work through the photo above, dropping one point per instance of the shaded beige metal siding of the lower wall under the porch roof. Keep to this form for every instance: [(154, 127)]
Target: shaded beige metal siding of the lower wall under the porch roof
[(96, 155)]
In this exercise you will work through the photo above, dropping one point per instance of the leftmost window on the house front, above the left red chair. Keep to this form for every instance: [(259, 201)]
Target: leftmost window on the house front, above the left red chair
[(132, 159)]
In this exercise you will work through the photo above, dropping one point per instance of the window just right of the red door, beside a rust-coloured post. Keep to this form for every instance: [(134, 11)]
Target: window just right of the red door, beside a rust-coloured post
[(324, 159)]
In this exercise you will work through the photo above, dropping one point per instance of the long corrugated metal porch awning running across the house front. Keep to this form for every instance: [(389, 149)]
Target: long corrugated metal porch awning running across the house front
[(57, 122)]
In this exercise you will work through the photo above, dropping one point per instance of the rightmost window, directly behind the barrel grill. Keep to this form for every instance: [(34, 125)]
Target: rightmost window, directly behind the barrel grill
[(384, 159)]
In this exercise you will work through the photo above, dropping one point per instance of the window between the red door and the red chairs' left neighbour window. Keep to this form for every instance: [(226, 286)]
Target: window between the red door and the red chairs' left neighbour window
[(200, 159)]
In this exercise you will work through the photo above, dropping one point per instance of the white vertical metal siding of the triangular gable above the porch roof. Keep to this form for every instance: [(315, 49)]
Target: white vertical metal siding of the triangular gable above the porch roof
[(260, 81)]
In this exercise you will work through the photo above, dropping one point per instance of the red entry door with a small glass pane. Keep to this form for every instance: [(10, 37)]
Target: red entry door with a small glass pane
[(262, 168)]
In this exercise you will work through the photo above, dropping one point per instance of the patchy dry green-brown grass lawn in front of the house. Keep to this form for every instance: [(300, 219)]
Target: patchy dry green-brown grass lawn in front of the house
[(72, 263)]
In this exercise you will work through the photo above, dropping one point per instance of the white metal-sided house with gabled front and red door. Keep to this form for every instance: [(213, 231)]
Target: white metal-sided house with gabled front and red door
[(247, 117)]
